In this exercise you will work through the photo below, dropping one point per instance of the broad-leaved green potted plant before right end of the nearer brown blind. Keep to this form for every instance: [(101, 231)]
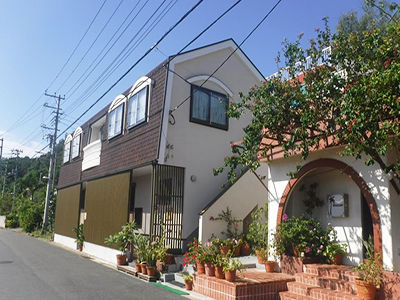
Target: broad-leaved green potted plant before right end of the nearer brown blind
[(122, 239)]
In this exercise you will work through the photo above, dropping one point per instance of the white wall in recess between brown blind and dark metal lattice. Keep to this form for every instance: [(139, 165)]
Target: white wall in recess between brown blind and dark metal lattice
[(143, 200)]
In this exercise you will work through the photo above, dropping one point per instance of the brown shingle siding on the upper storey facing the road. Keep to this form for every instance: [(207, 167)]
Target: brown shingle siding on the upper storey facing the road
[(134, 147)]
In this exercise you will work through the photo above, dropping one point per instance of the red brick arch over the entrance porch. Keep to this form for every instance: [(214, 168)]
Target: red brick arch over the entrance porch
[(351, 173)]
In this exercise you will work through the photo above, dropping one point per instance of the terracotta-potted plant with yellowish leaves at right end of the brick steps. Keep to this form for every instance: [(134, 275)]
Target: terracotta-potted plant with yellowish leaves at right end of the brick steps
[(370, 273)]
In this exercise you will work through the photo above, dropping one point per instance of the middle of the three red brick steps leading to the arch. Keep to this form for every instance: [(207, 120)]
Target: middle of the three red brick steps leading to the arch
[(343, 286)]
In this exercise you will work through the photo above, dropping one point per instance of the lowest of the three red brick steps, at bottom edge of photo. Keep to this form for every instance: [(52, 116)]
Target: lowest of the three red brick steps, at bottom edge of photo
[(318, 293)]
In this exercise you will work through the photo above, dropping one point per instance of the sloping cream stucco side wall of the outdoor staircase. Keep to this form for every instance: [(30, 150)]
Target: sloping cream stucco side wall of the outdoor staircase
[(241, 198)]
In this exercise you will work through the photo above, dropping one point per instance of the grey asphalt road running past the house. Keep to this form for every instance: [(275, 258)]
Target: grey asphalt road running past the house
[(33, 269)]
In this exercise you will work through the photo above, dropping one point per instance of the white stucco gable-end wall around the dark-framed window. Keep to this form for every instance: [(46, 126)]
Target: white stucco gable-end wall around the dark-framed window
[(196, 147)]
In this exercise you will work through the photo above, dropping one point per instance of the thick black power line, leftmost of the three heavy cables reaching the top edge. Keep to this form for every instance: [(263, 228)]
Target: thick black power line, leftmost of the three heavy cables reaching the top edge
[(135, 64)]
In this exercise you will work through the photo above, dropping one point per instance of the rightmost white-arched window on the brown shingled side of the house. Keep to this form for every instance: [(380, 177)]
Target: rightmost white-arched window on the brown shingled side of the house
[(137, 107)]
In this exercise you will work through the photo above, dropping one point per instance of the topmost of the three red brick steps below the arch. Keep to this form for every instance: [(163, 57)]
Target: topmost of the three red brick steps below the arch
[(341, 272)]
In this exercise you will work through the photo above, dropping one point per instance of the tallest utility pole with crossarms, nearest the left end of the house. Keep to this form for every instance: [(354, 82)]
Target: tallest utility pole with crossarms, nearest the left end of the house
[(52, 158)]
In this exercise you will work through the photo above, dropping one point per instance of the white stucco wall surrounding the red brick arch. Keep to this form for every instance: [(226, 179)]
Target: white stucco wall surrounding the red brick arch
[(373, 176)]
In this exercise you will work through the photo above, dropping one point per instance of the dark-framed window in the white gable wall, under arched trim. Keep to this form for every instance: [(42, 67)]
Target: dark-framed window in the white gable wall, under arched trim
[(208, 108)]
